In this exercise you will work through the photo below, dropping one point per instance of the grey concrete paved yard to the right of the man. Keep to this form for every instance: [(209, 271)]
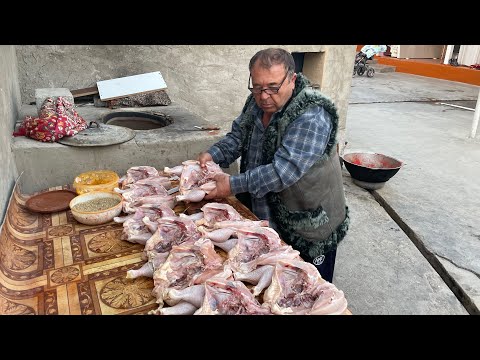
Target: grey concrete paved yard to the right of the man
[(413, 245)]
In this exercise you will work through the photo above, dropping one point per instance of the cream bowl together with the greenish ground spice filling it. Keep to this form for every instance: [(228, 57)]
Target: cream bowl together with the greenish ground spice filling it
[(96, 207)]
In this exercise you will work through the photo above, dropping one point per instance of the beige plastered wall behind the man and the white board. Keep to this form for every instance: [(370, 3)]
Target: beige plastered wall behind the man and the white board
[(210, 80)]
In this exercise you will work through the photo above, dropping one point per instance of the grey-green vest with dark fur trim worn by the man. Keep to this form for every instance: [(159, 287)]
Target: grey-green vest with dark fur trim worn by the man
[(311, 215)]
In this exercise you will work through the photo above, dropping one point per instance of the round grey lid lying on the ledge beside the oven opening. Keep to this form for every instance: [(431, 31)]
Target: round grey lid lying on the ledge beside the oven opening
[(100, 135)]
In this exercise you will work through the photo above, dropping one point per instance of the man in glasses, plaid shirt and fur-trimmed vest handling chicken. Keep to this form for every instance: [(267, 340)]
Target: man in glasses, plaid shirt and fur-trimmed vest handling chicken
[(290, 171)]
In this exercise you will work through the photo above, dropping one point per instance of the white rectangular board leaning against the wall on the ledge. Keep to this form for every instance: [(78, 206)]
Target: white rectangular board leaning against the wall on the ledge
[(130, 85)]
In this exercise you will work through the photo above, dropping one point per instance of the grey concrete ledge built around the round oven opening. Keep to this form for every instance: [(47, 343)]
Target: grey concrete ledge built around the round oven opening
[(53, 164)]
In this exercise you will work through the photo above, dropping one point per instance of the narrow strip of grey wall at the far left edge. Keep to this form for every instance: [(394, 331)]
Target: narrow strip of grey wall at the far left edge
[(9, 107)]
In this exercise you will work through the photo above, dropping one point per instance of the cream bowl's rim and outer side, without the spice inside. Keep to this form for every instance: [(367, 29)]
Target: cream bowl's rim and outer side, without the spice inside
[(96, 217)]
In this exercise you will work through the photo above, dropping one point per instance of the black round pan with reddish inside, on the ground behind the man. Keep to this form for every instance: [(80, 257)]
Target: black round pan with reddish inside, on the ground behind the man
[(371, 167)]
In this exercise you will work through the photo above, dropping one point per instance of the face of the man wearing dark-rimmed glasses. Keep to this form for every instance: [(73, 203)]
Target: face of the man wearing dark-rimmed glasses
[(273, 78)]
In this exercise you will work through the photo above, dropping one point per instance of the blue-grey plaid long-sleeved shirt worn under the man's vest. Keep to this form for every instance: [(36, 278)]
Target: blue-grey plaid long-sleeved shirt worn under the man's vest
[(303, 144)]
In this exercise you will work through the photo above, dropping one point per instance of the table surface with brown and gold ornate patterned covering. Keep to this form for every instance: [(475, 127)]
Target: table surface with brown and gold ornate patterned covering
[(51, 264)]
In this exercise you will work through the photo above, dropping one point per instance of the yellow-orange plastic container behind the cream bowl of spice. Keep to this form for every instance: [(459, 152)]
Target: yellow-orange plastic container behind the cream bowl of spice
[(98, 180)]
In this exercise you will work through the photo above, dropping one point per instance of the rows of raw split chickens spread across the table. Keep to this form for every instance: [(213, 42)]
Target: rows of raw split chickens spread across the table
[(214, 261)]
